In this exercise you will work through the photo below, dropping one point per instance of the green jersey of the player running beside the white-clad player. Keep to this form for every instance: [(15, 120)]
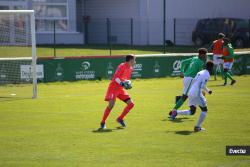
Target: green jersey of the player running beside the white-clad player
[(190, 67)]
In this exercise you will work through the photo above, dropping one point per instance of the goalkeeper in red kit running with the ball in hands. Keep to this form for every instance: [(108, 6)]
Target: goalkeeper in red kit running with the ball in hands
[(119, 82)]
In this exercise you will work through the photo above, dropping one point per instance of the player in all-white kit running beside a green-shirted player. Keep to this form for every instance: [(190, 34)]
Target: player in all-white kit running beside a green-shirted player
[(196, 96)]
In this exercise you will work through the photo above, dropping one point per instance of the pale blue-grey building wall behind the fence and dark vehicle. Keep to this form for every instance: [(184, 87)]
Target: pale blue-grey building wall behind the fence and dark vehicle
[(147, 18)]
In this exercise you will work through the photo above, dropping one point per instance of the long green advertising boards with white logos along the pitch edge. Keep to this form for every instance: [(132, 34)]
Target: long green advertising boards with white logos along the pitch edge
[(92, 68)]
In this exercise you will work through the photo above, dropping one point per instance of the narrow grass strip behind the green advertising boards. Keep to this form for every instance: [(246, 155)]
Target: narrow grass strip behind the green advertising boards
[(95, 50)]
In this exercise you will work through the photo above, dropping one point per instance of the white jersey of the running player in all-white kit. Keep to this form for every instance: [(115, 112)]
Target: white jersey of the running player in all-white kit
[(199, 83)]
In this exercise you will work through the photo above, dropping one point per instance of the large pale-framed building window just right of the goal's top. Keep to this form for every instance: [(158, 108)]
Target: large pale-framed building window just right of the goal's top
[(48, 12)]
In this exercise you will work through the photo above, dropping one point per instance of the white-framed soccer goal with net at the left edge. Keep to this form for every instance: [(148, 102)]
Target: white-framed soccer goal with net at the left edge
[(18, 76)]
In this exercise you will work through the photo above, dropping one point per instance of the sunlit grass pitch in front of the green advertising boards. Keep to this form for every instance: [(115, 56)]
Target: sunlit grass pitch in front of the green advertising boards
[(59, 128)]
